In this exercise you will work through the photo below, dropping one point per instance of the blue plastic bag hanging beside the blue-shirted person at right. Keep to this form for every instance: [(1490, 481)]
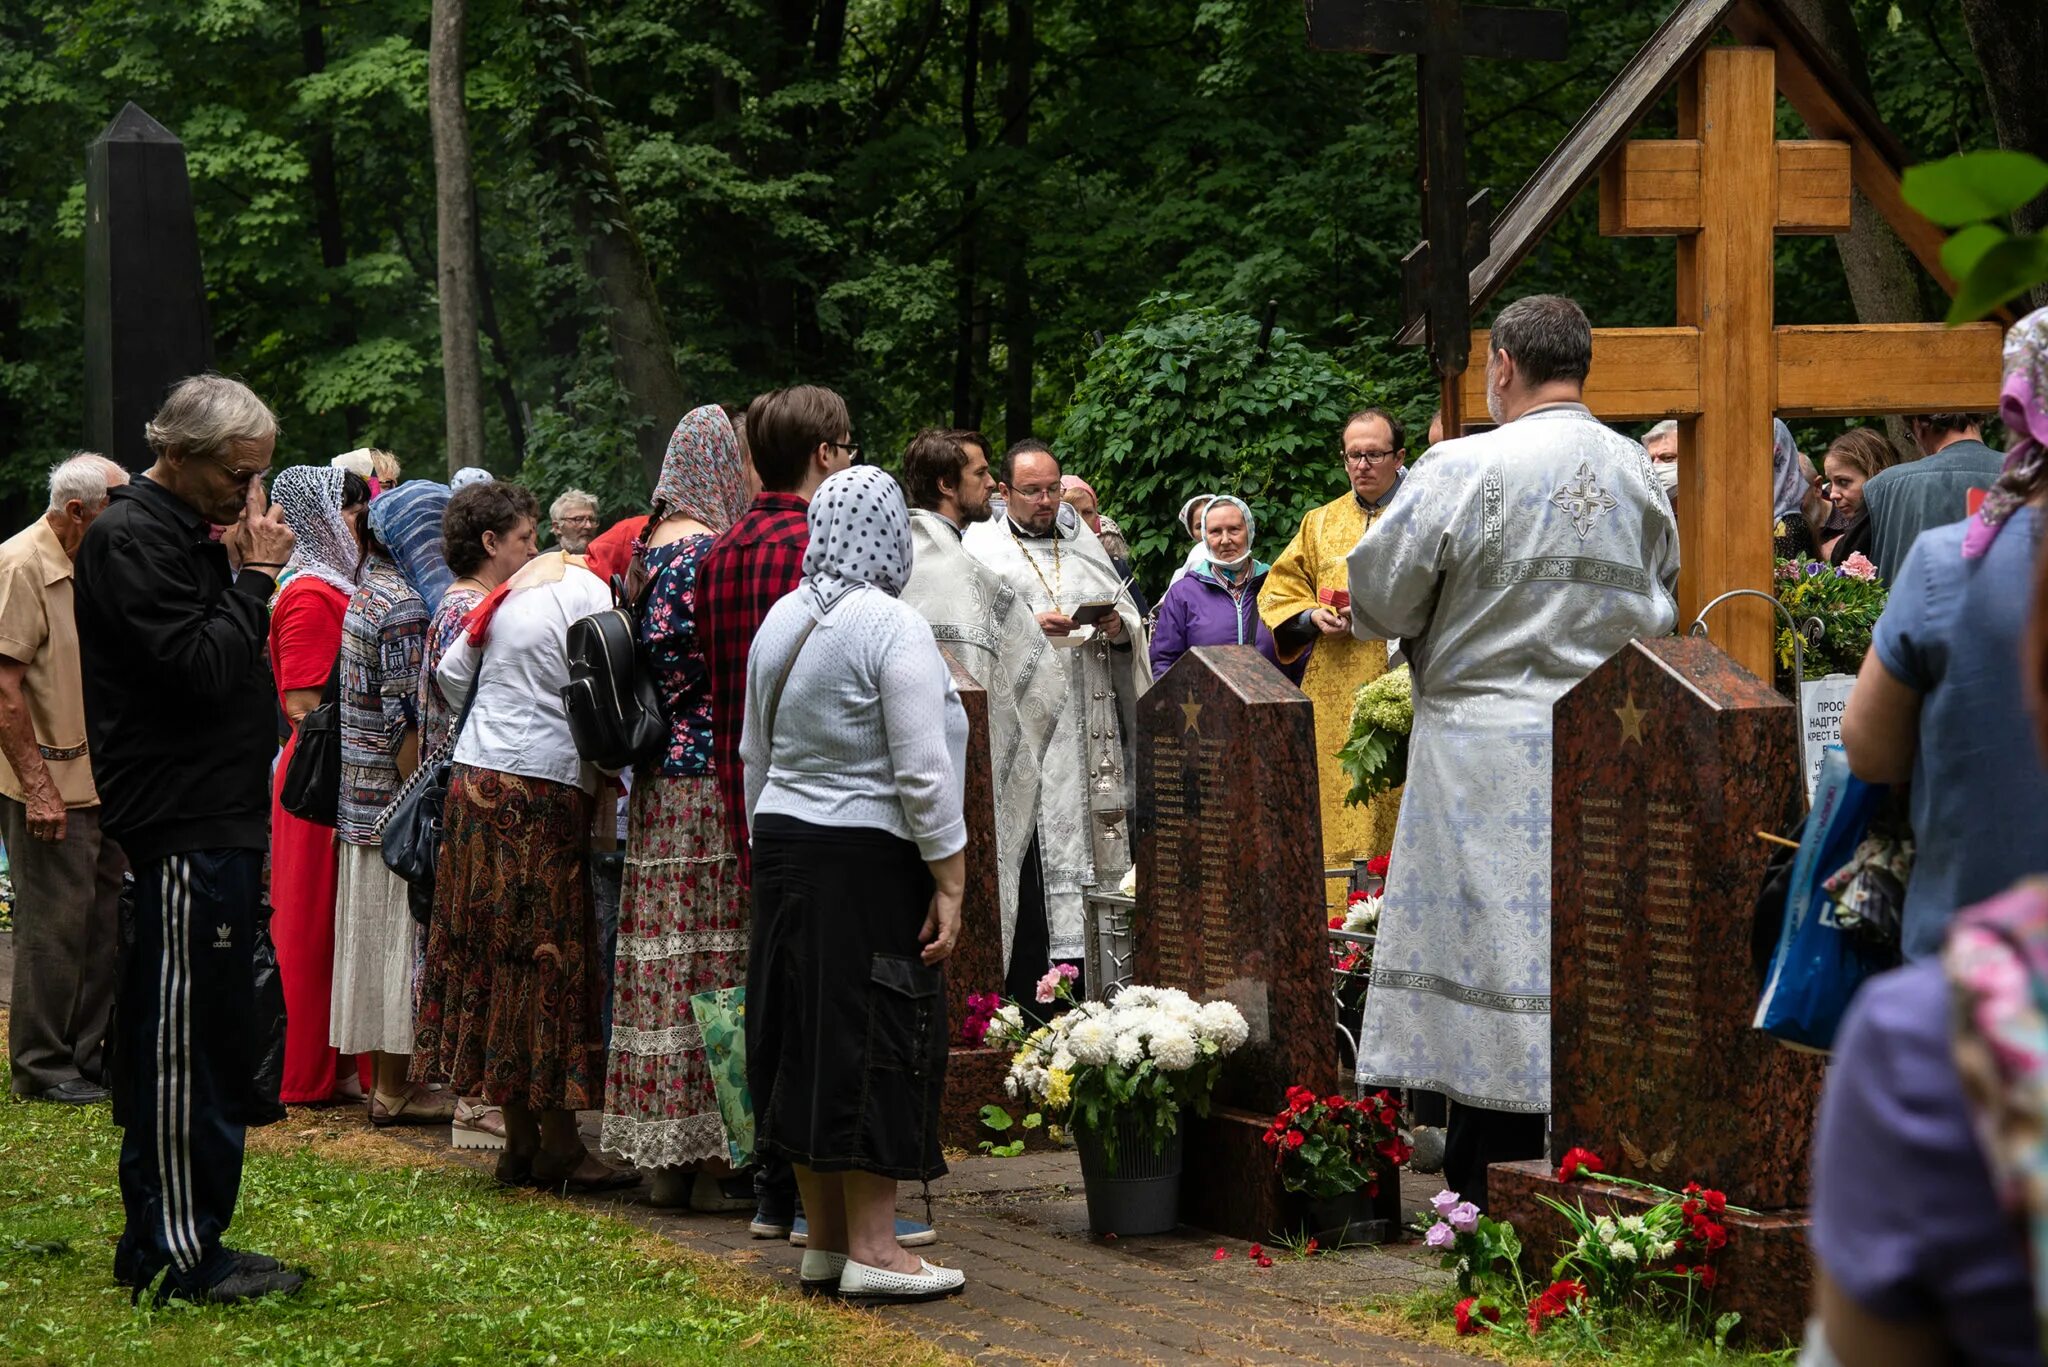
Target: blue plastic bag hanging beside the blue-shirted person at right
[(1818, 966)]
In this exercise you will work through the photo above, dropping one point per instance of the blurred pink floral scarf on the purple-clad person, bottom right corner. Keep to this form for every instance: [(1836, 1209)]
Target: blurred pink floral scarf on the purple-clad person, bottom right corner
[(1998, 981)]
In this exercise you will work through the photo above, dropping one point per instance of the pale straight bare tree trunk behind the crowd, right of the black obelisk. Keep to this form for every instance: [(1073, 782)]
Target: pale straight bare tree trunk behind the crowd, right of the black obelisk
[(456, 257)]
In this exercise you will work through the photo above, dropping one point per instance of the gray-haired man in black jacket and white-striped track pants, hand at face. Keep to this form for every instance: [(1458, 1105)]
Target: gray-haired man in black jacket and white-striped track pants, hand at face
[(181, 720)]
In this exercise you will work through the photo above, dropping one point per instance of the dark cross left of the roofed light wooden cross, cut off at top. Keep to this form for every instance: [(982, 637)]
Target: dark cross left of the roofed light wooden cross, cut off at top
[(1443, 34)]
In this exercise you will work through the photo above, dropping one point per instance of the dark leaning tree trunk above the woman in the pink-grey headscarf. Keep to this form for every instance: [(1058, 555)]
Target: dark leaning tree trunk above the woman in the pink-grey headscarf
[(572, 142)]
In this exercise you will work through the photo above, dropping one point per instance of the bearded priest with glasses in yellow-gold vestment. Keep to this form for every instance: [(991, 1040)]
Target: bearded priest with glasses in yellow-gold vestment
[(1306, 606)]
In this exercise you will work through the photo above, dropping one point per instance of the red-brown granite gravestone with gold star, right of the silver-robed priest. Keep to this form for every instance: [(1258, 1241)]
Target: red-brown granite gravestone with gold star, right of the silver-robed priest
[(1666, 763)]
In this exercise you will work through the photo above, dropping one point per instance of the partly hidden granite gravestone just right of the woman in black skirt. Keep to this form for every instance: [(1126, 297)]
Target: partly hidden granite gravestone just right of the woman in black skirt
[(976, 1075)]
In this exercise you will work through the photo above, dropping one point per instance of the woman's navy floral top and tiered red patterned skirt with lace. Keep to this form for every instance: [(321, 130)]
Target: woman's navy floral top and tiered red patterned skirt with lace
[(683, 923)]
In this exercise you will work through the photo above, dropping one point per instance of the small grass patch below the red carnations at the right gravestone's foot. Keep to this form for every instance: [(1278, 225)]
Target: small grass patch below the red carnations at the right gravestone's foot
[(1631, 1341)]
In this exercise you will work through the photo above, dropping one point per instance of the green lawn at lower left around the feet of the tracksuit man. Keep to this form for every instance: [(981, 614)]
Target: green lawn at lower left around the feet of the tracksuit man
[(411, 1266)]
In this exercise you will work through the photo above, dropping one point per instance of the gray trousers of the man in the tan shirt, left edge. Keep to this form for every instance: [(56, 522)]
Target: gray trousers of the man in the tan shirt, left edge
[(67, 925)]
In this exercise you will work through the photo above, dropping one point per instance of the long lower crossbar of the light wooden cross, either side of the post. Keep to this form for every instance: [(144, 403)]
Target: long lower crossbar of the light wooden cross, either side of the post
[(1828, 372)]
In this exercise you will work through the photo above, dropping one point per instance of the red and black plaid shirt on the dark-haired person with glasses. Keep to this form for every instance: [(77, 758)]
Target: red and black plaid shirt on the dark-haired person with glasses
[(742, 577)]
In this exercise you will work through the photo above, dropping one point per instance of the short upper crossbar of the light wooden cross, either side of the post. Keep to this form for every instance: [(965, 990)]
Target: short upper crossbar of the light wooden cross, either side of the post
[(1652, 190)]
